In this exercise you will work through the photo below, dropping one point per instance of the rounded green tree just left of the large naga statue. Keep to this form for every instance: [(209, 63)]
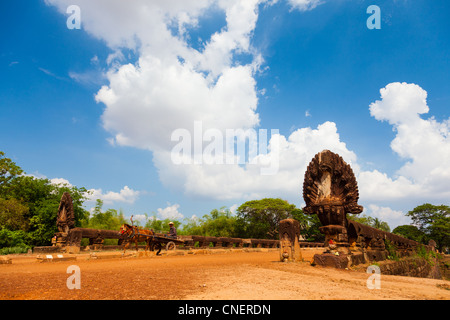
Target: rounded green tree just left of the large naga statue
[(261, 218)]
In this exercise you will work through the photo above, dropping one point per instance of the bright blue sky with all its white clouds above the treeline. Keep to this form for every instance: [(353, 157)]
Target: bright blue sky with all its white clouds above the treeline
[(96, 106)]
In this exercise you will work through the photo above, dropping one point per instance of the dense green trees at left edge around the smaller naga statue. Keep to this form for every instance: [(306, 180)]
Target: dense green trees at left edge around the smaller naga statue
[(29, 205)]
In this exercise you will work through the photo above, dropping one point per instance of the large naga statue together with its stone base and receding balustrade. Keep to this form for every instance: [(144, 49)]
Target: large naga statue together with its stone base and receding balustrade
[(330, 191)]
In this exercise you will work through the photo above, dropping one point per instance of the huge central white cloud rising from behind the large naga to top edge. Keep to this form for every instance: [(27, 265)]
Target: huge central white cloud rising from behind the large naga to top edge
[(172, 85)]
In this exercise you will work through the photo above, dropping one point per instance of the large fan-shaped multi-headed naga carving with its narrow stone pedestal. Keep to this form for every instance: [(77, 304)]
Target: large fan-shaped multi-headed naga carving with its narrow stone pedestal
[(330, 191)]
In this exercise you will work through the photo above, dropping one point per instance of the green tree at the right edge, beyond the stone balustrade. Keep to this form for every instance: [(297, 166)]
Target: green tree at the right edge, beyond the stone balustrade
[(434, 222)]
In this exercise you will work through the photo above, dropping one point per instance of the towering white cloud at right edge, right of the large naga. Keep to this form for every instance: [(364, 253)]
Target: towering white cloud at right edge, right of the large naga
[(423, 143)]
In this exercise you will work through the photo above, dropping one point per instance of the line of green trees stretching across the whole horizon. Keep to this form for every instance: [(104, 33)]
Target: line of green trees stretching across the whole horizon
[(28, 208)]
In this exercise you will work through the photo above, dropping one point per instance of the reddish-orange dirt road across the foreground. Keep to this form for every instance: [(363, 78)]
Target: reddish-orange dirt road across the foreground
[(237, 275)]
